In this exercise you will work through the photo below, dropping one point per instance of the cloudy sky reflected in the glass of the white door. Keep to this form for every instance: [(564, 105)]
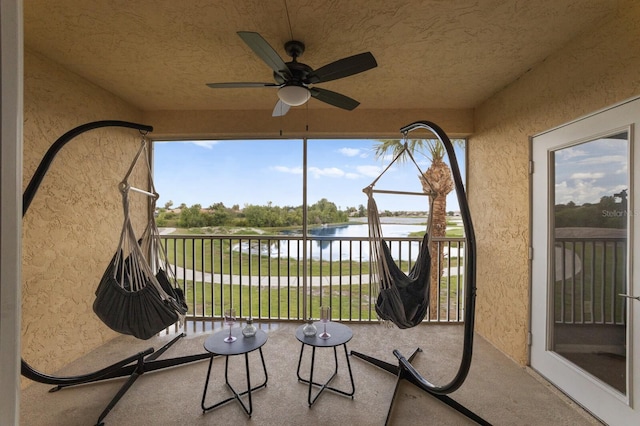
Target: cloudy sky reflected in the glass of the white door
[(586, 172)]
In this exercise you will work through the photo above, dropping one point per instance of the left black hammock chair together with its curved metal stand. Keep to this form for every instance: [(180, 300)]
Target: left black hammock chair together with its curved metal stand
[(166, 298)]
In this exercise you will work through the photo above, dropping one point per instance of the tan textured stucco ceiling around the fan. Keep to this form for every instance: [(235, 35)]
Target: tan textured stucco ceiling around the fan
[(158, 54)]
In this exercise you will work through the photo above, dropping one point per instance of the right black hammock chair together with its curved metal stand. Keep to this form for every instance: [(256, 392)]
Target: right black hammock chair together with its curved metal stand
[(399, 307)]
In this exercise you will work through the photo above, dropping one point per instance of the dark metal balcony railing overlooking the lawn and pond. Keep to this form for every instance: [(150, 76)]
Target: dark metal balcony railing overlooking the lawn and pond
[(267, 279)]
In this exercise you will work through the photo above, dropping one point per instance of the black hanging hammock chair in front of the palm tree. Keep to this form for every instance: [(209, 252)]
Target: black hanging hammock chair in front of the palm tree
[(403, 298)]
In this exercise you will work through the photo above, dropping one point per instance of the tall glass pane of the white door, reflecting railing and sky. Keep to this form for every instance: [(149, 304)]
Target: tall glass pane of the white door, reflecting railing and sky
[(590, 256)]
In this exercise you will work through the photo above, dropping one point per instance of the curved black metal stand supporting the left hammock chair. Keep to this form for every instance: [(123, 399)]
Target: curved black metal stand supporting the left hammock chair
[(135, 365)]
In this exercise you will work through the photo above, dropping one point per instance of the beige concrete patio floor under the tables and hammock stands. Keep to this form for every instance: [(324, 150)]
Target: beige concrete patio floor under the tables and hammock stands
[(497, 389)]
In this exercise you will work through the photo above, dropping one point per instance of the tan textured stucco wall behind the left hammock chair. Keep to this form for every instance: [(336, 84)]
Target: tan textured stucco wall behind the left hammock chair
[(72, 227)]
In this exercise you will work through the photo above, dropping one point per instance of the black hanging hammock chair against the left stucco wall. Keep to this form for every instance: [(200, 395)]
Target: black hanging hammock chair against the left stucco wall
[(136, 295)]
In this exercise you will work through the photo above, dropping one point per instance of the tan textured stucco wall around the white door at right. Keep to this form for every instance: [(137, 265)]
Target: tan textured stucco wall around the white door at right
[(598, 69)]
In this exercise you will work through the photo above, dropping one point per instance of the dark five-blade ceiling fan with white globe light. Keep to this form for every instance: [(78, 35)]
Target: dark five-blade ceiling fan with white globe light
[(293, 78)]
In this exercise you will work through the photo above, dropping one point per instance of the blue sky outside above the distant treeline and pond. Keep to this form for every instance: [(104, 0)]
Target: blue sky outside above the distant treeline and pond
[(263, 171)]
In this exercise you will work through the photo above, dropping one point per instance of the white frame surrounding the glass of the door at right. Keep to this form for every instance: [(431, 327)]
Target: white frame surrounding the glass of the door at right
[(598, 398)]
